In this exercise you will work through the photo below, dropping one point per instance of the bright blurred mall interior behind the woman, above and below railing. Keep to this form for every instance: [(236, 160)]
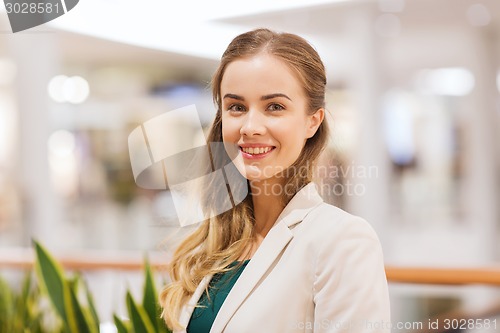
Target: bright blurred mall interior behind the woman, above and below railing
[(413, 95)]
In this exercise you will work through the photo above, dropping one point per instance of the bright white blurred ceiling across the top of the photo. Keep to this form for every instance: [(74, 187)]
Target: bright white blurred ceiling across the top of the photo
[(190, 35)]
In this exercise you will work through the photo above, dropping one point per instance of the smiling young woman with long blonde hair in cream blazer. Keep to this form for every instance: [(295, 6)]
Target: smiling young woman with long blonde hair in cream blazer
[(281, 260)]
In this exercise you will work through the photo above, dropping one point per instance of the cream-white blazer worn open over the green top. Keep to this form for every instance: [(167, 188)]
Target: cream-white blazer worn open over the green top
[(319, 269)]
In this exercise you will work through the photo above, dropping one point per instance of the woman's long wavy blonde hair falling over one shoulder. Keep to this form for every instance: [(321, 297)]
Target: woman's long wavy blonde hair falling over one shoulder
[(223, 239)]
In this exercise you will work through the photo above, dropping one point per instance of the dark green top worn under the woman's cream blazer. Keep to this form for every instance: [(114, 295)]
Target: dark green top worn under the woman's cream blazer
[(209, 305)]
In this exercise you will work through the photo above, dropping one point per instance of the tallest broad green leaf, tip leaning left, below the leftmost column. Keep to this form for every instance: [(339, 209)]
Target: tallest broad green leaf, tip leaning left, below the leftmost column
[(52, 278)]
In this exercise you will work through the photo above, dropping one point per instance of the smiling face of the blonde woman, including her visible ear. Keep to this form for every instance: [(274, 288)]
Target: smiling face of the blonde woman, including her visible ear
[(264, 116)]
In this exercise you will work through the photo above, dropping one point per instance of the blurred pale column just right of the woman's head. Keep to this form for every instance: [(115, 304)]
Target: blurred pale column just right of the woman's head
[(367, 84)]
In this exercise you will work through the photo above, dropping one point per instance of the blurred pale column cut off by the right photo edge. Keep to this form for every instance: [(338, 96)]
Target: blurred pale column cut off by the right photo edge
[(482, 162)]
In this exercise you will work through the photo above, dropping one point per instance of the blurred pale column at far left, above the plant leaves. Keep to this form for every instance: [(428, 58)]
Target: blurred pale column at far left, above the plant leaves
[(35, 54)]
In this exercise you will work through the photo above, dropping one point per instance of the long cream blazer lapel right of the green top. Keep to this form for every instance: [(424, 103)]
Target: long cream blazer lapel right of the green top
[(267, 253)]
